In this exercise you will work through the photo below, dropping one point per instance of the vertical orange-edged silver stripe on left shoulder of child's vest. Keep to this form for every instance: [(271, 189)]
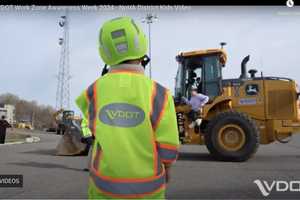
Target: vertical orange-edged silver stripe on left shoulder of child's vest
[(91, 107)]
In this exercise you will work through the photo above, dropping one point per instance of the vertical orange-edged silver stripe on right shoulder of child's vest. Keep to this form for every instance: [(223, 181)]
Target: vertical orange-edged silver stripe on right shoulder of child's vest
[(158, 103)]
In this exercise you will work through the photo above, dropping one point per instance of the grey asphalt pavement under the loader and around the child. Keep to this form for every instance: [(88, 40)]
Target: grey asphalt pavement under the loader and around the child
[(194, 176)]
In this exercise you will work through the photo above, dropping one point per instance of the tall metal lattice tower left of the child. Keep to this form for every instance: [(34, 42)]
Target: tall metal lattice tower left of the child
[(63, 77)]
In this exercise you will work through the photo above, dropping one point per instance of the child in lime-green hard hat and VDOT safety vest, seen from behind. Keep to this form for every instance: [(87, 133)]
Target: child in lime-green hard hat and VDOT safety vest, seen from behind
[(132, 118)]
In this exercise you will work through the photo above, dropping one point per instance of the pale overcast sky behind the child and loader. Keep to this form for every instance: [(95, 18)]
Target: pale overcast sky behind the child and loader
[(30, 52)]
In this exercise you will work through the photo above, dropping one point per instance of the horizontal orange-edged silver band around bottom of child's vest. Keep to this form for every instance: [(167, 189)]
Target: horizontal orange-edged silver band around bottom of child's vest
[(127, 188)]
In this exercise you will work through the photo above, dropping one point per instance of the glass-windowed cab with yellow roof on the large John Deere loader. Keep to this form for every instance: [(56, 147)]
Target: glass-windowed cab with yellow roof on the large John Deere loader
[(201, 69)]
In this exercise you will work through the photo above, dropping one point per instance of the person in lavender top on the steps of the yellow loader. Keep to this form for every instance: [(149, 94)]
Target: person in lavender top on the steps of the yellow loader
[(197, 101)]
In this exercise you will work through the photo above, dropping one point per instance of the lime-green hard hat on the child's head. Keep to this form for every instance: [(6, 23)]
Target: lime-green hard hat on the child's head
[(121, 39)]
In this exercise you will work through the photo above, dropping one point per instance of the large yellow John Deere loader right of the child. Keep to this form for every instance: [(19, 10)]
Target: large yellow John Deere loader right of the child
[(242, 113)]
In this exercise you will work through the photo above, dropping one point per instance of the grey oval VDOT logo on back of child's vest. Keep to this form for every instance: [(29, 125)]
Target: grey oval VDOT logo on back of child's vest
[(121, 115)]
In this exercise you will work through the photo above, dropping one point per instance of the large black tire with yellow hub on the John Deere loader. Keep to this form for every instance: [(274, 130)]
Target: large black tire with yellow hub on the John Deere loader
[(232, 136)]
